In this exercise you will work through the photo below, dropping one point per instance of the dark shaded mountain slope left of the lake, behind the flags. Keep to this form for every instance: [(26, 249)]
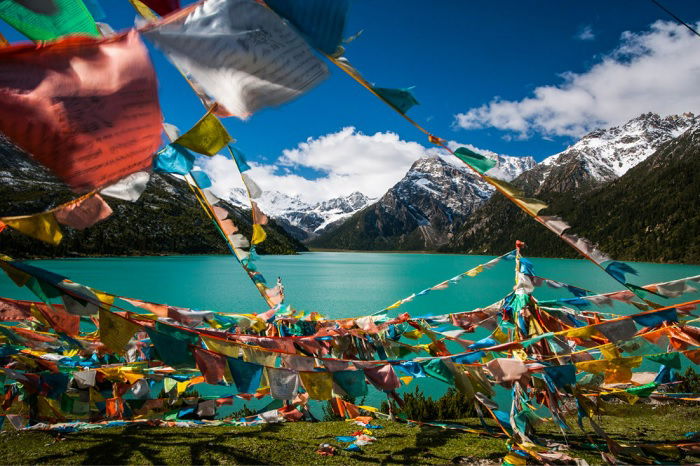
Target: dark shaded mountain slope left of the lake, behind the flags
[(165, 220)]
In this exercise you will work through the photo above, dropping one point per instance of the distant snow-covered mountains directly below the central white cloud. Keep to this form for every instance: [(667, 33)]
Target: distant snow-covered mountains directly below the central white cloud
[(302, 220)]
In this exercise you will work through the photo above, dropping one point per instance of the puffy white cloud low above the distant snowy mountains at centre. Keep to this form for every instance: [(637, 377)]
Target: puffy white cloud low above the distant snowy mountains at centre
[(348, 161)]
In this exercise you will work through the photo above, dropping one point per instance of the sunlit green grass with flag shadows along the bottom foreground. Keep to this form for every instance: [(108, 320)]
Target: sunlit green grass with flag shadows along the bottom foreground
[(295, 443)]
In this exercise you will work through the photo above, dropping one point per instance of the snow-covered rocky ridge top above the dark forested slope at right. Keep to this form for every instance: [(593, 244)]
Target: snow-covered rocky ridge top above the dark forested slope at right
[(606, 154)]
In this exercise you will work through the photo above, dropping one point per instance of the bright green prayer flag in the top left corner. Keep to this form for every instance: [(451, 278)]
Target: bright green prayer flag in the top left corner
[(48, 19)]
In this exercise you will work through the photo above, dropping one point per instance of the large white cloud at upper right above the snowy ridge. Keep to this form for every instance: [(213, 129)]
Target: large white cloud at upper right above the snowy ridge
[(657, 70)]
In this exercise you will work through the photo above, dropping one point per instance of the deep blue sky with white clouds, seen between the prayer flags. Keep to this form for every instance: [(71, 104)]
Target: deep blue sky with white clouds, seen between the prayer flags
[(465, 60)]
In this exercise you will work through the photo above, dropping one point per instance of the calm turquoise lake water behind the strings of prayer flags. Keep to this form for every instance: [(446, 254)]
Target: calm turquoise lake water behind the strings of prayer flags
[(341, 284)]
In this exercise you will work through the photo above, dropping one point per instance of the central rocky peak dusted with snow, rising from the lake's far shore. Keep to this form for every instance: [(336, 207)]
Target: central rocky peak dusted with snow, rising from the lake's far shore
[(420, 212)]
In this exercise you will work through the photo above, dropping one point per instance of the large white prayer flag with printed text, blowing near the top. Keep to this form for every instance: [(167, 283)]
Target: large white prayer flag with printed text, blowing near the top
[(240, 53)]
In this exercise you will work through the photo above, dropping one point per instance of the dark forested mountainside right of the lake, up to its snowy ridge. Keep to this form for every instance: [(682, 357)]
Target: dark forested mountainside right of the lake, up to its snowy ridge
[(649, 213)]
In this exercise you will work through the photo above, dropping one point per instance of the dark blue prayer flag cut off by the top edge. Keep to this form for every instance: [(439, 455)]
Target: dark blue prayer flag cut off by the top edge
[(321, 22)]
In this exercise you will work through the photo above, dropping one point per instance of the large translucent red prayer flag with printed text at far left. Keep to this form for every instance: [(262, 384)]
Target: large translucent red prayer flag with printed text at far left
[(92, 107)]
